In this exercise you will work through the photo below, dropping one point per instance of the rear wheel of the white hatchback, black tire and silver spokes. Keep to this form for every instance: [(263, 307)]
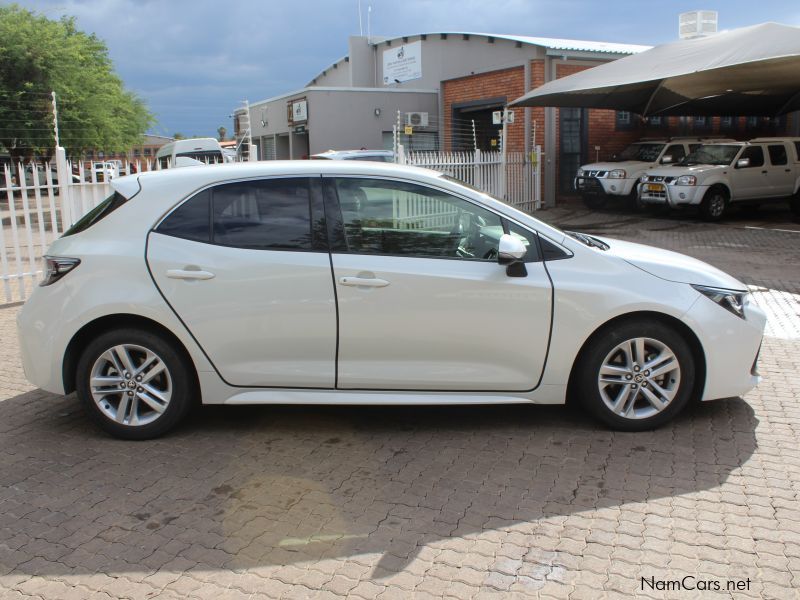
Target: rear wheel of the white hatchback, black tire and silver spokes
[(178, 378)]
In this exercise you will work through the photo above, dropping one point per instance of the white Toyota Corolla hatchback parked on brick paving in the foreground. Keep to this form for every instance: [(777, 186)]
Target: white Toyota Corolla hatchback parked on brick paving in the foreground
[(348, 282)]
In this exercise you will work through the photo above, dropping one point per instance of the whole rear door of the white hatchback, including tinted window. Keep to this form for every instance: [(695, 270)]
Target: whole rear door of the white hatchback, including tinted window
[(241, 266)]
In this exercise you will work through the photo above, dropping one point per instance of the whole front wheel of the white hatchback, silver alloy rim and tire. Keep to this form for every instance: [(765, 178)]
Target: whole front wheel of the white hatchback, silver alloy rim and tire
[(636, 375)]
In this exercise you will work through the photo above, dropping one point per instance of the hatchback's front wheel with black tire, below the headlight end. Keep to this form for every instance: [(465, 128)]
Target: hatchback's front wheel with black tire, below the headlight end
[(599, 350)]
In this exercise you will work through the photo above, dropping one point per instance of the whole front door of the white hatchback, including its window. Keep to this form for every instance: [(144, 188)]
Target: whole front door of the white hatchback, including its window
[(423, 303)]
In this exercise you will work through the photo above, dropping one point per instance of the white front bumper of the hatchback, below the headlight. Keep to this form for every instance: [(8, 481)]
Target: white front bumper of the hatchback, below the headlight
[(730, 344)]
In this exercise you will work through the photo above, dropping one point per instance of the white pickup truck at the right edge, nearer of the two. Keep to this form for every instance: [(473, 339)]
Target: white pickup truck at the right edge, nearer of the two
[(717, 175)]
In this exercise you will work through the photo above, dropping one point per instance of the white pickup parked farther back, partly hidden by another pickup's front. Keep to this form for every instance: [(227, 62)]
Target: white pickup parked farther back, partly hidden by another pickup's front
[(619, 177)]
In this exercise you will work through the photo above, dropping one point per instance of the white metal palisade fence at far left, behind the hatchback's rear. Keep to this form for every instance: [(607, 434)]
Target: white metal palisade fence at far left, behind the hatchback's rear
[(38, 202)]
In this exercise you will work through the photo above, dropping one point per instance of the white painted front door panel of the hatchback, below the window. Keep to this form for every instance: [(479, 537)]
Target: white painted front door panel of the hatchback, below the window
[(441, 324)]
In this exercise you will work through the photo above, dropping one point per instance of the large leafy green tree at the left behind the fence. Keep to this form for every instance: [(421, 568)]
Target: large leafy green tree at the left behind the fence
[(95, 111)]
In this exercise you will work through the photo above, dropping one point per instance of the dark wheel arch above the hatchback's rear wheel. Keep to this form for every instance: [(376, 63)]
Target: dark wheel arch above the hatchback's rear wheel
[(107, 323)]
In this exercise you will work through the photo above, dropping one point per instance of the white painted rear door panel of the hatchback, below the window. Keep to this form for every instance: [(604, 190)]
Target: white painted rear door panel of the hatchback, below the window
[(265, 318)]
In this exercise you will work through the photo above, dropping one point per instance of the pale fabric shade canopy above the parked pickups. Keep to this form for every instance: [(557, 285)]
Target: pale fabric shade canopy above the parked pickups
[(749, 71)]
